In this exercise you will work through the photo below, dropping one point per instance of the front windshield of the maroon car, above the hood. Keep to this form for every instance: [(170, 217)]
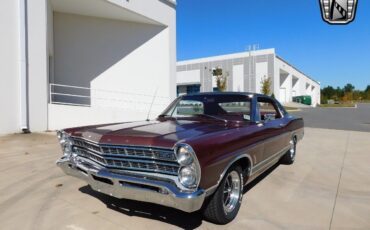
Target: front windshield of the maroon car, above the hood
[(215, 106)]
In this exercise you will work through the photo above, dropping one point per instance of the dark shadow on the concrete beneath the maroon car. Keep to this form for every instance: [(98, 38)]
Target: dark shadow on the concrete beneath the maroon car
[(158, 212)]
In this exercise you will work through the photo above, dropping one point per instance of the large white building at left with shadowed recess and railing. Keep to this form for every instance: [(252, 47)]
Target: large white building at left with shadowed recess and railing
[(77, 62)]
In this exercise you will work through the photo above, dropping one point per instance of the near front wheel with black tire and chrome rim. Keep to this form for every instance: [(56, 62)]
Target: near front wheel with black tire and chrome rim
[(221, 209)]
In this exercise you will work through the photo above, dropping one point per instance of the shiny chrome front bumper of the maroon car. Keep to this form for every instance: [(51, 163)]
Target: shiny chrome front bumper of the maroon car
[(131, 186)]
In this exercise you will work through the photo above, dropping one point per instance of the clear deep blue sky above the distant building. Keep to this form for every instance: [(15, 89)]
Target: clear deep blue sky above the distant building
[(331, 54)]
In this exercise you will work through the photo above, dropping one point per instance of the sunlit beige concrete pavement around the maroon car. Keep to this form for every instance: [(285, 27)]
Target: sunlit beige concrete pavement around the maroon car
[(328, 187)]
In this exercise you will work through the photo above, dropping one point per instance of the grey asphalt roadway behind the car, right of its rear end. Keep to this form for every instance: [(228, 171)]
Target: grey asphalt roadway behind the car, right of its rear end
[(356, 119)]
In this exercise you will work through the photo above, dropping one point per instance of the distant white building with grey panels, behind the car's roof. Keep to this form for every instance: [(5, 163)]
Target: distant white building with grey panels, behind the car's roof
[(245, 71)]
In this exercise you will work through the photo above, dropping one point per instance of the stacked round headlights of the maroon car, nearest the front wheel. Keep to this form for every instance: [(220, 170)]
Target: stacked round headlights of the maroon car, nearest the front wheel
[(189, 172)]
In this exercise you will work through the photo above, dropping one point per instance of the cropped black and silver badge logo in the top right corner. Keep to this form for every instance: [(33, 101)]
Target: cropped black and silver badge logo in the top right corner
[(338, 11)]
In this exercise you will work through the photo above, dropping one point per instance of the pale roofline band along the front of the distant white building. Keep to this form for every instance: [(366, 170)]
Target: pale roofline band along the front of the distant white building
[(227, 56)]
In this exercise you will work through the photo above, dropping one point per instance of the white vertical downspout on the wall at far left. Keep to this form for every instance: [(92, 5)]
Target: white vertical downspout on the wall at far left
[(23, 66)]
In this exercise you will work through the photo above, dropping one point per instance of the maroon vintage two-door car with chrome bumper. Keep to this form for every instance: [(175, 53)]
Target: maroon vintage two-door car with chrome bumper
[(198, 154)]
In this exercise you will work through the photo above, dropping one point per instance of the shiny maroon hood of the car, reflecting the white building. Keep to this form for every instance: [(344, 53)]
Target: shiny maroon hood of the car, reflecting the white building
[(158, 133)]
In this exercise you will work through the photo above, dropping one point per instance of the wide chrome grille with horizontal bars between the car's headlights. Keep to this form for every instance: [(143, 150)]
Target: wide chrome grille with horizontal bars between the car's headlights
[(135, 158)]
